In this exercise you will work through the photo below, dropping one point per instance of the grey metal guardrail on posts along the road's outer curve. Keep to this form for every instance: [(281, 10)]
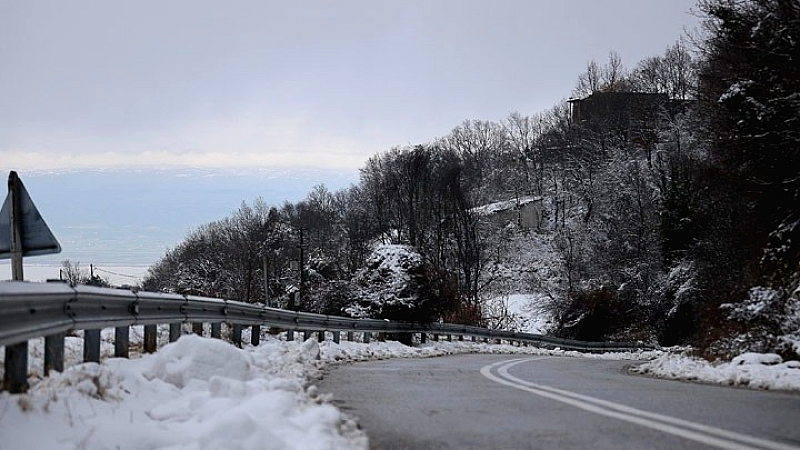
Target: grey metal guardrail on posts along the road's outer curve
[(33, 310)]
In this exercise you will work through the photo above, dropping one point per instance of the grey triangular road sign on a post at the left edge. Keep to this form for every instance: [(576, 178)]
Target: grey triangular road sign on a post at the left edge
[(37, 239)]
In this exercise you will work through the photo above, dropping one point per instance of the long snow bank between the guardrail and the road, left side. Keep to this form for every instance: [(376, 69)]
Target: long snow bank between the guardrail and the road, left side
[(205, 393)]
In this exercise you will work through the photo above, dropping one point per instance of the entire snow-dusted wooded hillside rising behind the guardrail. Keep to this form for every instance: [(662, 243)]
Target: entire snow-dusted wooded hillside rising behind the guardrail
[(665, 194)]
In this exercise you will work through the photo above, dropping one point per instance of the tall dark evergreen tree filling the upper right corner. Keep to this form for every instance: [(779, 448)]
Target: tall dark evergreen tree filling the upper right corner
[(750, 83)]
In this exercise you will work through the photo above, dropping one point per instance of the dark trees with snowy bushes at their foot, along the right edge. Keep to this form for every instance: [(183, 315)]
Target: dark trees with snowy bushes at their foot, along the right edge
[(742, 232)]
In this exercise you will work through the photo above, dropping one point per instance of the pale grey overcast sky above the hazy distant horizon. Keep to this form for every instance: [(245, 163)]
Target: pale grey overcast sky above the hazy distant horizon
[(222, 84)]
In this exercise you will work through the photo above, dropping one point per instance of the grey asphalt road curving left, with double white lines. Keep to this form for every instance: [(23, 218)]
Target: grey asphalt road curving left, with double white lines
[(516, 402)]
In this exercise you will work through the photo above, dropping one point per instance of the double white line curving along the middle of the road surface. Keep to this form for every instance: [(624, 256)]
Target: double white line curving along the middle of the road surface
[(704, 434)]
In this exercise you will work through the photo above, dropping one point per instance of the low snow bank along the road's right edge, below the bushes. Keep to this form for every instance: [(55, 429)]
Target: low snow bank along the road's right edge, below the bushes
[(752, 370)]
